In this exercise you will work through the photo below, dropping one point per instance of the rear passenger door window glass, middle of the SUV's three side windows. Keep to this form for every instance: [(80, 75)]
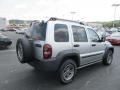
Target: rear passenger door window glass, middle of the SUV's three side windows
[(79, 34)]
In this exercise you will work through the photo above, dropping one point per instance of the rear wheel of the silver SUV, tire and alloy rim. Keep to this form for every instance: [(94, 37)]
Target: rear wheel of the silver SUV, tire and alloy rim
[(65, 74)]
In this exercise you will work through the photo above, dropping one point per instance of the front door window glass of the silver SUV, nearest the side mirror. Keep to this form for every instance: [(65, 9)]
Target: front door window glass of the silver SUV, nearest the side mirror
[(93, 35)]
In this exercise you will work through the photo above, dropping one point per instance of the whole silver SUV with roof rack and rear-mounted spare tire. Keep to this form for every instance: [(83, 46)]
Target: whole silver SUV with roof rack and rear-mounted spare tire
[(63, 46)]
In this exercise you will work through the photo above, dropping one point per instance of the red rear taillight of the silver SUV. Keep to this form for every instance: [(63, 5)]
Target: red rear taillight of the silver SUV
[(47, 51)]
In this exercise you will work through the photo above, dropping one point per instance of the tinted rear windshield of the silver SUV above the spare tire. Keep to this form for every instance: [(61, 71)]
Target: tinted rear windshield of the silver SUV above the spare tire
[(38, 31)]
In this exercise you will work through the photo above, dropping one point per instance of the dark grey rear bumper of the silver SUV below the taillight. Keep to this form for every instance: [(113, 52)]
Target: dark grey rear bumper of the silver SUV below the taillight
[(46, 65)]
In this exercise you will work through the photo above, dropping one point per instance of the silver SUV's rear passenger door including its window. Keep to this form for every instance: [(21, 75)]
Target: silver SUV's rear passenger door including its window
[(80, 43)]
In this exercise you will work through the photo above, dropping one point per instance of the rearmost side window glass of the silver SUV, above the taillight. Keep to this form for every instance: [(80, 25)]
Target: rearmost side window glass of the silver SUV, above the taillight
[(61, 33)]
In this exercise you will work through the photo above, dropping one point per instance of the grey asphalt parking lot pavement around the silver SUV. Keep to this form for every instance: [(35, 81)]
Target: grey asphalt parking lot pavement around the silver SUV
[(16, 76)]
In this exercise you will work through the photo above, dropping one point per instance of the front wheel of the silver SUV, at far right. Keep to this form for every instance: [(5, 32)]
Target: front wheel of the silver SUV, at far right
[(108, 58)]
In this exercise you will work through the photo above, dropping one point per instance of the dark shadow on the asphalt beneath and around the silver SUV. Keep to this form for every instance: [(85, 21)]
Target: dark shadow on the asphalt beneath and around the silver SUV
[(32, 79)]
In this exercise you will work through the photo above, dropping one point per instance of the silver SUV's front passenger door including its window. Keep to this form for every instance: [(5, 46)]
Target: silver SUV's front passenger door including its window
[(97, 48)]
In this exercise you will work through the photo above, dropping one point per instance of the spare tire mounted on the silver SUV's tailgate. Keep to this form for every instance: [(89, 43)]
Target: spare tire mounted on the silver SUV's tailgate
[(24, 50)]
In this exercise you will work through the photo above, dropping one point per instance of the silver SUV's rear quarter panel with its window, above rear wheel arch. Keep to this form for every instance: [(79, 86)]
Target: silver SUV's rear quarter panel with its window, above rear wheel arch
[(61, 38)]
